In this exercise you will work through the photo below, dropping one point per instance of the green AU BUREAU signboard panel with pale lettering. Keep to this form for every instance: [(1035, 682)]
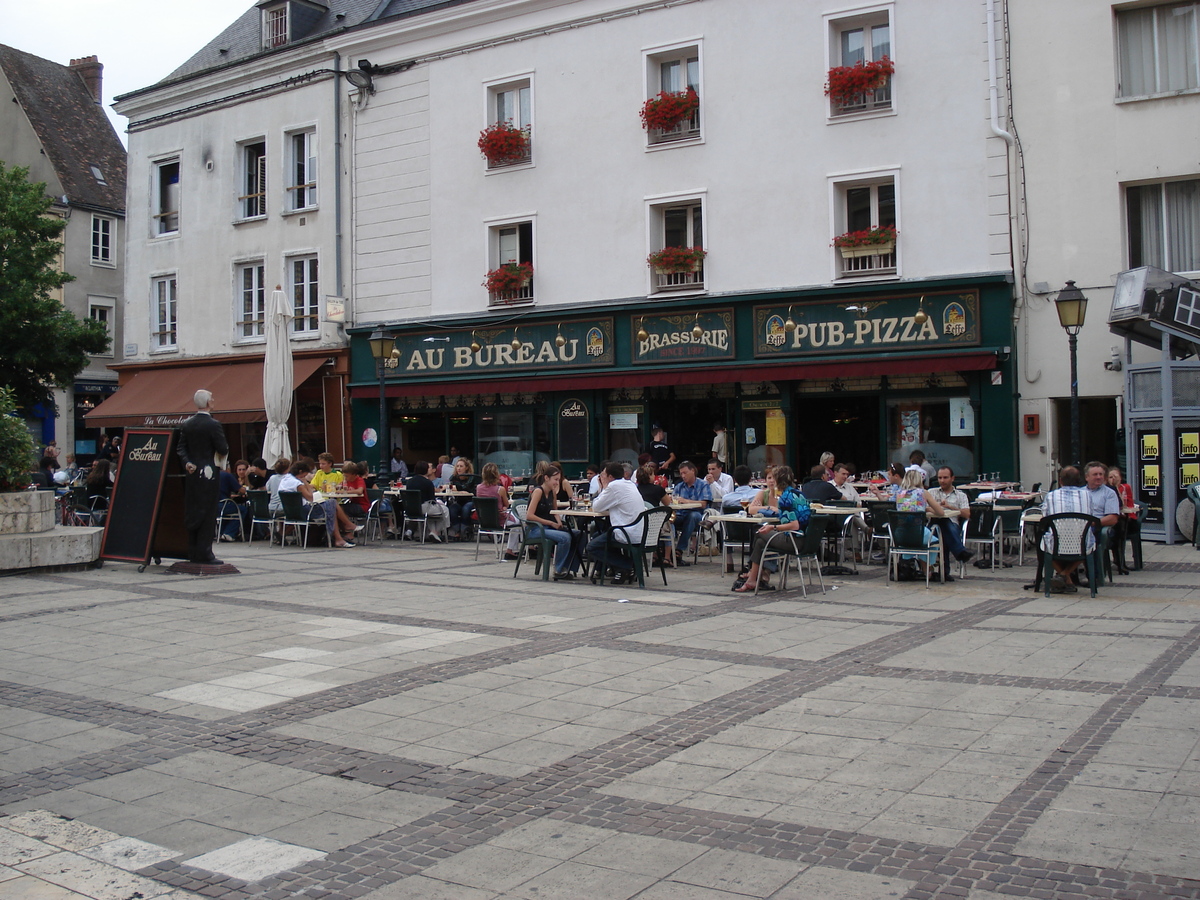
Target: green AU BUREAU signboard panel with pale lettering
[(529, 347)]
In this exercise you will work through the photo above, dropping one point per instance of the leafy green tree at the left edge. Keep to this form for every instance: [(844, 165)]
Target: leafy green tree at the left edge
[(41, 343)]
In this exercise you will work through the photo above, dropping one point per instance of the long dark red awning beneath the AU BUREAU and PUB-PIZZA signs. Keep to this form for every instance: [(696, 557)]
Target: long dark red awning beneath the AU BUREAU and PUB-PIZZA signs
[(982, 361)]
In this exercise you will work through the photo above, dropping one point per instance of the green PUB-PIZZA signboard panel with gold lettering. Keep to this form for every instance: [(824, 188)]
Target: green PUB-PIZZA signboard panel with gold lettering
[(919, 322)]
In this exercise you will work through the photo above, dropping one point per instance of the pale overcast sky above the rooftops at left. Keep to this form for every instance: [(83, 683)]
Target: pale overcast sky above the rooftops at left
[(139, 41)]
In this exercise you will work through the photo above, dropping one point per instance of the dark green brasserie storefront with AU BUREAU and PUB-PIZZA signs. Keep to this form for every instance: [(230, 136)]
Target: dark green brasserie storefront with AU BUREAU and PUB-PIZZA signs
[(868, 373)]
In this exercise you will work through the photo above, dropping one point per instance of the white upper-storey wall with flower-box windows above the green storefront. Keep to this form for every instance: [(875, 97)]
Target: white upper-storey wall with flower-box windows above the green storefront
[(765, 166)]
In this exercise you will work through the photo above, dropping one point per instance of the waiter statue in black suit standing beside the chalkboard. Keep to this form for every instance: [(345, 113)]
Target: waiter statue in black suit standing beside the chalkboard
[(202, 441)]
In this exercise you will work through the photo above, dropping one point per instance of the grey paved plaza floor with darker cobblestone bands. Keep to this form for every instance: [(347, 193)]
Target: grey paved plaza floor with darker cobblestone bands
[(404, 722)]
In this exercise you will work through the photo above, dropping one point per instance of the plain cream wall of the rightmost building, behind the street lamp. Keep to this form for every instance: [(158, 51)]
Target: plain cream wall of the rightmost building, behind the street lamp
[(1081, 149)]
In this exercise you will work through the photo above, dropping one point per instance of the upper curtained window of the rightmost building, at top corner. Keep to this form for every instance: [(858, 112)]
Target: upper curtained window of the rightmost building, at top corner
[(1157, 49)]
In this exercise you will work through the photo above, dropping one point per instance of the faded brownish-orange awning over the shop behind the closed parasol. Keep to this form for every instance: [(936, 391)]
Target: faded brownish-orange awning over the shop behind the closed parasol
[(163, 398)]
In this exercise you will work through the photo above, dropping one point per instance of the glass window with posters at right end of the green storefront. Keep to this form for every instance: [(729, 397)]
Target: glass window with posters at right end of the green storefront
[(941, 428)]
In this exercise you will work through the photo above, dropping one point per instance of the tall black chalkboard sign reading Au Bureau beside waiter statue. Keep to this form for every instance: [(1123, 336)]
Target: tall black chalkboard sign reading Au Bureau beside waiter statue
[(134, 529)]
